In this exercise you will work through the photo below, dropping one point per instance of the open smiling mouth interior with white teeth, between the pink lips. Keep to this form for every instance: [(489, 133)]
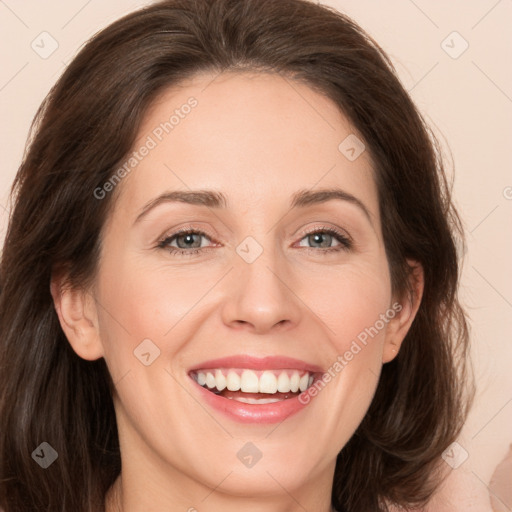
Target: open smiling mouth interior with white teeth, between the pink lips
[(253, 386)]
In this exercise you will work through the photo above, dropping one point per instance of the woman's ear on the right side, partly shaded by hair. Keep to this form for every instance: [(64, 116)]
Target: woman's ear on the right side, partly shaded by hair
[(406, 308)]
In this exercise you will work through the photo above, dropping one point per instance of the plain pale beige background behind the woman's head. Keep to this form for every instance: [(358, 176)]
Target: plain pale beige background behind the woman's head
[(467, 99)]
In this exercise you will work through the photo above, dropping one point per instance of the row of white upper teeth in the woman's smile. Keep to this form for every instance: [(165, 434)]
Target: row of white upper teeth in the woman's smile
[(249, 381)]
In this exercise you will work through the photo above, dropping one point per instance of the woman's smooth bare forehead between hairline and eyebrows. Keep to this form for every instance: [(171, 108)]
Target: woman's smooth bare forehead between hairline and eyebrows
[(257, 137)]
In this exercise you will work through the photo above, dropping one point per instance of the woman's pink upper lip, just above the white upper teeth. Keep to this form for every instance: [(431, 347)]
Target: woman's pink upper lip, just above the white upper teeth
[(258, 363)]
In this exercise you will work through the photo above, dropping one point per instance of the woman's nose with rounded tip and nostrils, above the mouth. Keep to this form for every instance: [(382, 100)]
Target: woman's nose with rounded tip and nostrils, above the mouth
[(261, 295)]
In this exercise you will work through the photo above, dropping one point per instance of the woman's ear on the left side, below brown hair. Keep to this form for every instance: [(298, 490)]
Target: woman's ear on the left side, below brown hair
[(78, 316)]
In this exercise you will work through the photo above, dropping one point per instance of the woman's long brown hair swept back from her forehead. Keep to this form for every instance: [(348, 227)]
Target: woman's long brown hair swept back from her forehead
[(80, 135)]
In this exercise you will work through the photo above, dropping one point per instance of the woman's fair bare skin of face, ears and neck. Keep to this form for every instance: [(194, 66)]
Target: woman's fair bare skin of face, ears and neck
[(258, 139)]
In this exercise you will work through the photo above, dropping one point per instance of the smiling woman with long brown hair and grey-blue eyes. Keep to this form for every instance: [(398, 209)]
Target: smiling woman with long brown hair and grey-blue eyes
[(172, 336)]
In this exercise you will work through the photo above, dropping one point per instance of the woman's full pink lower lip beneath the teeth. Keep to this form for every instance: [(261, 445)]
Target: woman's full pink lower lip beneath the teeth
[(252, 413)]
